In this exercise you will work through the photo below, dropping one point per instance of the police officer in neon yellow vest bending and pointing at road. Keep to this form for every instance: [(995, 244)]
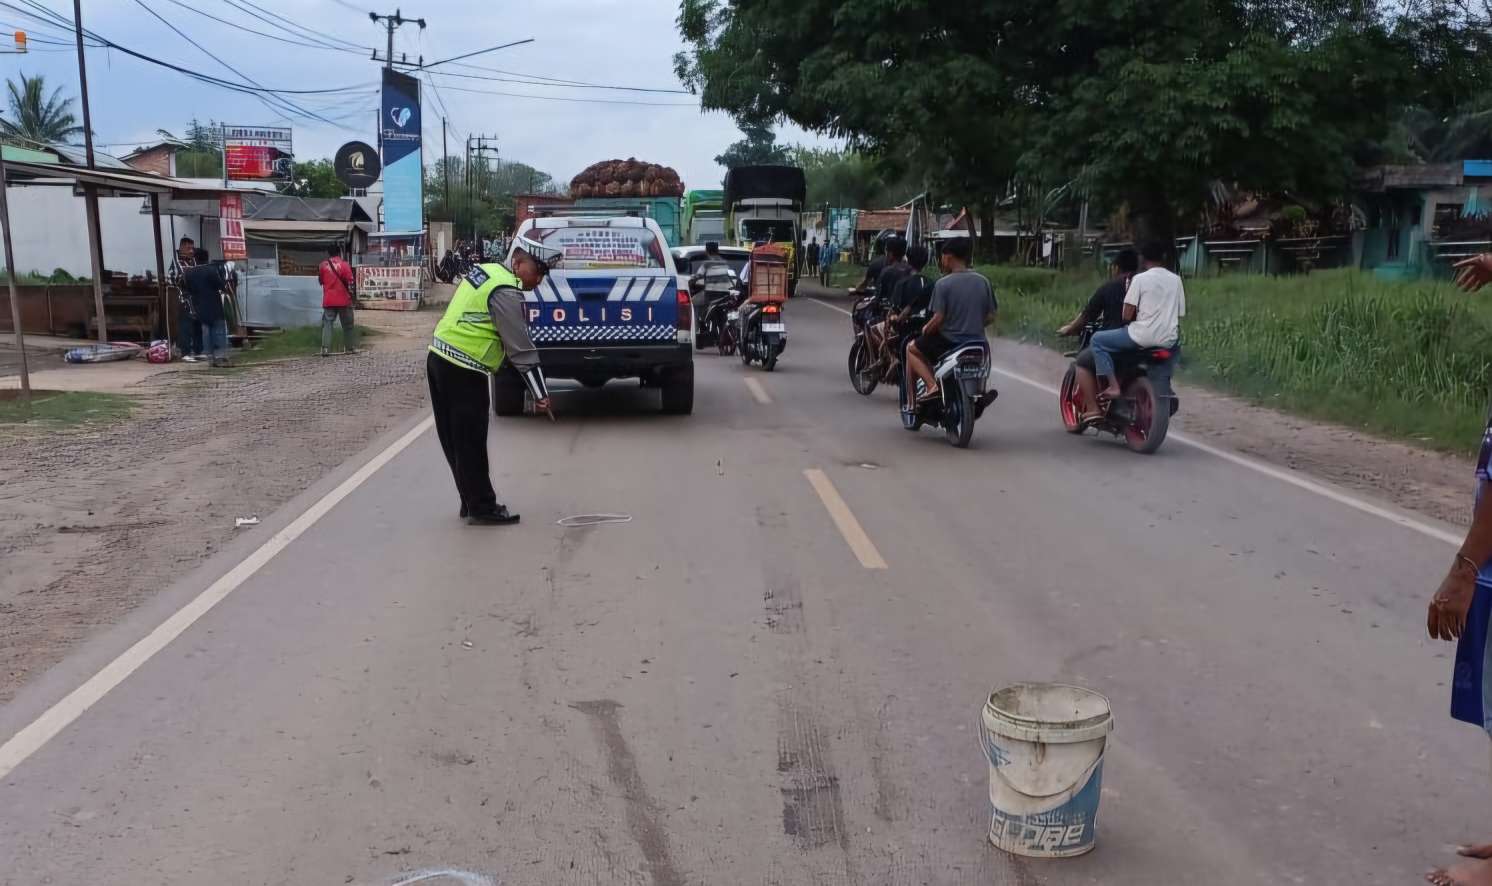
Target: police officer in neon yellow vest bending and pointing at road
[(484, 326)]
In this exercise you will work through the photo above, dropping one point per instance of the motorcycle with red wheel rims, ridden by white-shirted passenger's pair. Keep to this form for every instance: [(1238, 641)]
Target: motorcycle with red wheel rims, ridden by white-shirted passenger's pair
[(1145, 406)]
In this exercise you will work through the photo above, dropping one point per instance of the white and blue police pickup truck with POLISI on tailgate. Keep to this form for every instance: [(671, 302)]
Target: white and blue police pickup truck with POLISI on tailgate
[(615, 310)]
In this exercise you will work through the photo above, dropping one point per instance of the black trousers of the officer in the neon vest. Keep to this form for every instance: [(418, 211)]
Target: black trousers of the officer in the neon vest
[(460, 399)]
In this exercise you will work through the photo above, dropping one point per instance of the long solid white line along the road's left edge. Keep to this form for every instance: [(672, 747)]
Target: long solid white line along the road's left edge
[(80, 700)]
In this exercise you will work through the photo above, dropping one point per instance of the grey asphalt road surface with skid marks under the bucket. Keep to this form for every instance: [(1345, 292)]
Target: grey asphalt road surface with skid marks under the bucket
[(721, 691)]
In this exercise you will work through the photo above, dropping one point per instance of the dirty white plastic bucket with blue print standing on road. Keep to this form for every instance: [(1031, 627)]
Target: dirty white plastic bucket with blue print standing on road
[(1045, 745)]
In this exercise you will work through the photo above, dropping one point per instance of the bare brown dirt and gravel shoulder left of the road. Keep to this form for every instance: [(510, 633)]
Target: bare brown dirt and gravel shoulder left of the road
[(93, 521)]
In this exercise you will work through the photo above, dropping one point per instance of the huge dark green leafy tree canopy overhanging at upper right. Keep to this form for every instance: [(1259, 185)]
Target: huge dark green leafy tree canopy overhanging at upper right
[(1145, 104)]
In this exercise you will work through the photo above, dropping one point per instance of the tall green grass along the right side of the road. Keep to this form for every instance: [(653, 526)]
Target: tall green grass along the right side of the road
[(1411, 360)]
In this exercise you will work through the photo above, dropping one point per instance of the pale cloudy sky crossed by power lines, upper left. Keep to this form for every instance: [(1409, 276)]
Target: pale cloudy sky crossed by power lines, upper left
[(614, 43)]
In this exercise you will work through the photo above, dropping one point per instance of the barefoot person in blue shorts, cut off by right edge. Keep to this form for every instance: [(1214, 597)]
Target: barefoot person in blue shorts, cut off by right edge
[(1461, 611)]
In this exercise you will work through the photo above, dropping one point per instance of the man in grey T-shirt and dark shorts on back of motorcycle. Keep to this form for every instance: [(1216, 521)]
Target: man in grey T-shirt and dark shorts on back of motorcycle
[(963, 305)]
